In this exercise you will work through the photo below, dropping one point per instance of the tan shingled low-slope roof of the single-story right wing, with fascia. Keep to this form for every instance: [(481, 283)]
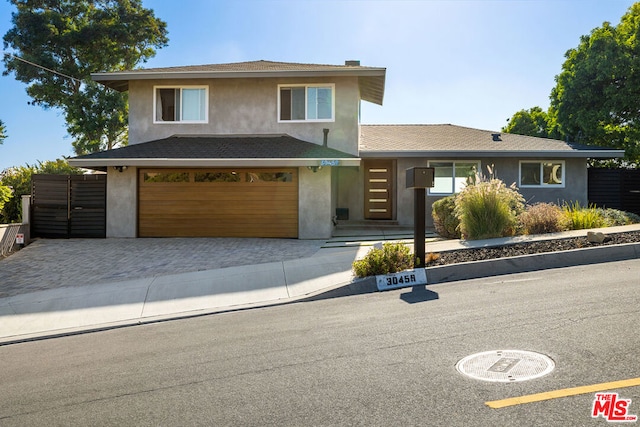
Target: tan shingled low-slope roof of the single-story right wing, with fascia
[(449, 141)]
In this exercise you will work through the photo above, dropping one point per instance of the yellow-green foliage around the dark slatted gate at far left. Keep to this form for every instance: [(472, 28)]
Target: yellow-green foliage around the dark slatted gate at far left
[(18, 180)]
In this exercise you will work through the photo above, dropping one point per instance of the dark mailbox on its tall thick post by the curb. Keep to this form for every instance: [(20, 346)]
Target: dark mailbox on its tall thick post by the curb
[(419, 178)]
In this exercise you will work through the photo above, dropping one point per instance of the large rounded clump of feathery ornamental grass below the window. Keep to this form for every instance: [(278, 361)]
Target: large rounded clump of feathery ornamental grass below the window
[(488, 209)]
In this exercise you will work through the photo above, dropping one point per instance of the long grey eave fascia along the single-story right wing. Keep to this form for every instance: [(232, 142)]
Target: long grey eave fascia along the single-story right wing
[(591, 154)]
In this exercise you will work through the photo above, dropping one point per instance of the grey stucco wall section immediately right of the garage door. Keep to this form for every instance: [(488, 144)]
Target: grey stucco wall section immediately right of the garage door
[(314, 206)]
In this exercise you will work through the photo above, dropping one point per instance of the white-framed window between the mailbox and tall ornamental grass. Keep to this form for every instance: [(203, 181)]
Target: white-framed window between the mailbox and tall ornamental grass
[(451, 176)]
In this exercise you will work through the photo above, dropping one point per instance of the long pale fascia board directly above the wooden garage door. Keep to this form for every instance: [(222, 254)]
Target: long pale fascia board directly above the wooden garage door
[(203, 163)]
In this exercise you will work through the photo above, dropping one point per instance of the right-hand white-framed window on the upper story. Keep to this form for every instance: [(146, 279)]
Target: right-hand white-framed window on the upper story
[(306, 103)]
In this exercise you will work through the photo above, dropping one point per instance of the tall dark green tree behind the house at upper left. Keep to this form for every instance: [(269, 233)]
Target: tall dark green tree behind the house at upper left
[(69, 40)]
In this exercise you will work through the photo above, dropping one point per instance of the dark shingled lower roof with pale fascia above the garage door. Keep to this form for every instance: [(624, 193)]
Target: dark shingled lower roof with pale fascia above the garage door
[(217, 151)]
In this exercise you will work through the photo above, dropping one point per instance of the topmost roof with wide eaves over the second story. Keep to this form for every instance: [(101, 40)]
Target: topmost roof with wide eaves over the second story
[(371, 79)]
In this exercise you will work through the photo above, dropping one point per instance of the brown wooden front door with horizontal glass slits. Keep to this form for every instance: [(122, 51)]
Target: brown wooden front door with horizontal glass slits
[(378, 189)]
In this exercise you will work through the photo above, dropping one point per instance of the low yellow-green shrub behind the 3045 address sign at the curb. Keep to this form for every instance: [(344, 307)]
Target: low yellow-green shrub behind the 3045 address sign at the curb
[(391, 258)]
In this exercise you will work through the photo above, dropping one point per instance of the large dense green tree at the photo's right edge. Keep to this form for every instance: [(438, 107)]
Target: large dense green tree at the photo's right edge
[(595, 97)]
